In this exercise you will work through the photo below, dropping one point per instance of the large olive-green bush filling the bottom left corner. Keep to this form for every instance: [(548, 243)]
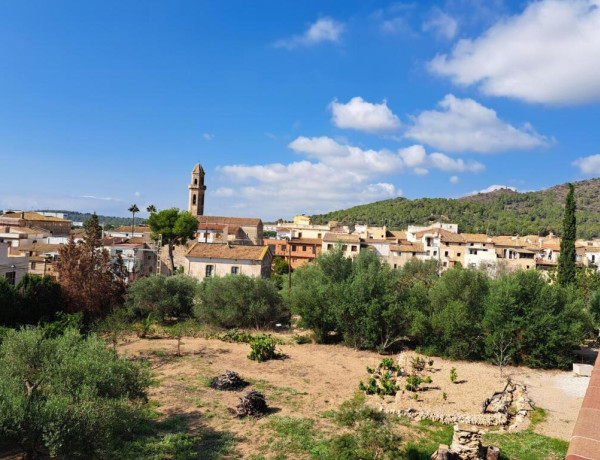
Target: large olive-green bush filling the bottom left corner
[(67, 395)]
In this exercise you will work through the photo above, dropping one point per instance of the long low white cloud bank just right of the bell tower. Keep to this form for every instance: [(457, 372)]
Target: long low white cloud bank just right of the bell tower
[(334, 175)]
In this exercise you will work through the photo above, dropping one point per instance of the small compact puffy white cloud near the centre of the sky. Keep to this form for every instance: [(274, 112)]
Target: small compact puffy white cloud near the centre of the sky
[(364, 116)]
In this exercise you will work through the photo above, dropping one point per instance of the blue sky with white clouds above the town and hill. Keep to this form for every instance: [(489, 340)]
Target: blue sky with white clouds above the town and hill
[(293, 107)]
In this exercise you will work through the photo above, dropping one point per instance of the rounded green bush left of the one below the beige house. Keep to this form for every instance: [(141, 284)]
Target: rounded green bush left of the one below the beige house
[(162, 297)]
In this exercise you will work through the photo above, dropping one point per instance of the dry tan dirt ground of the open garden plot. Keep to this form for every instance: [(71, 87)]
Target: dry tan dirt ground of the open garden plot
[(313, 379)]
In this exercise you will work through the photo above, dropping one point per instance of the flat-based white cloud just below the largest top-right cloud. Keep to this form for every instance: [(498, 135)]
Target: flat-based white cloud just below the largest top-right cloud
[(465, 125)]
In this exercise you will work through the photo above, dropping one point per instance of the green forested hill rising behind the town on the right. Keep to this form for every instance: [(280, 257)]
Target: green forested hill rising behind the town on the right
[(500, 212)]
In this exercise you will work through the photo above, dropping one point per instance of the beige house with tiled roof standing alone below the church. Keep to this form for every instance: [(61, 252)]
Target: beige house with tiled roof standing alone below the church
[(206, 259)]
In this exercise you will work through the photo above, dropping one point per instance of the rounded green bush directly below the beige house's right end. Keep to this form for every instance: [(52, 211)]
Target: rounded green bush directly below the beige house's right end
[(238, 301)]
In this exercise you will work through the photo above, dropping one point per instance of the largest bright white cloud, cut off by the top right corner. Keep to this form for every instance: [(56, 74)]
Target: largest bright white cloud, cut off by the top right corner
[(550, 53)]
